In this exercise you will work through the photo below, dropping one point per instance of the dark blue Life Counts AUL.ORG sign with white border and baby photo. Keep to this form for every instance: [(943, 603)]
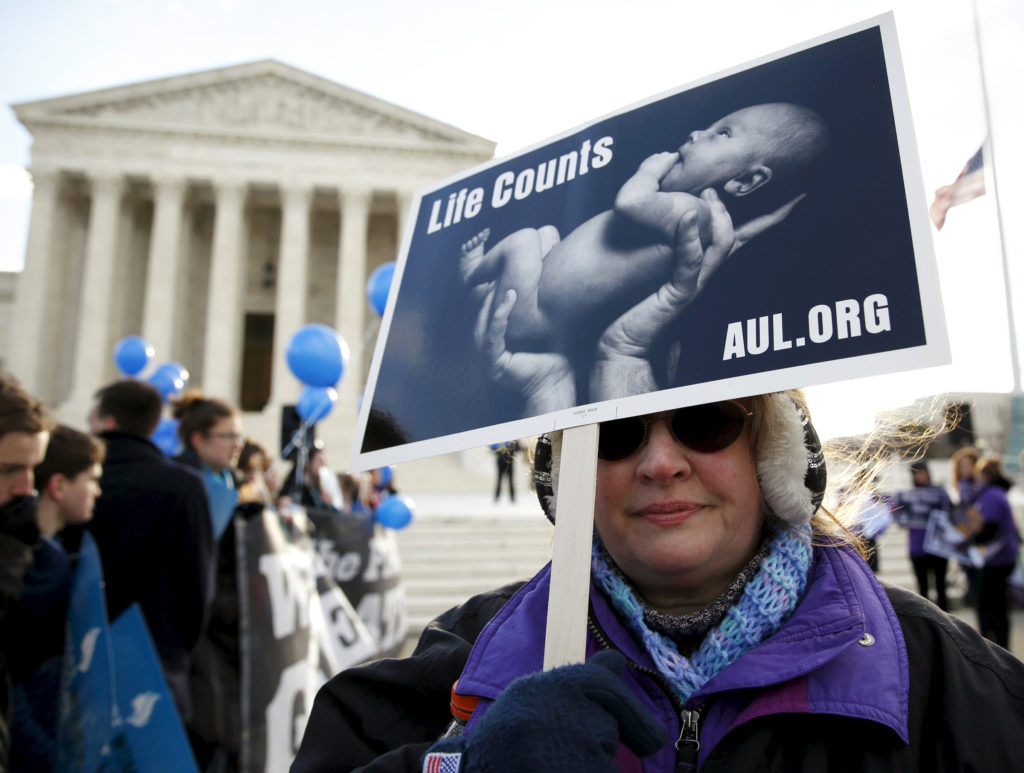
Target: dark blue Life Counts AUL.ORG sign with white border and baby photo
[(753, 225)]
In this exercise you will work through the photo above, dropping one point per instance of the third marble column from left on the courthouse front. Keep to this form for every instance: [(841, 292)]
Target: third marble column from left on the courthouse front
[(161, 280)]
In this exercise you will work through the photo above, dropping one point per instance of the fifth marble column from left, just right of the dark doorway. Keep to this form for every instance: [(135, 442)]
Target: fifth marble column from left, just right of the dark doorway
[(293, 271)]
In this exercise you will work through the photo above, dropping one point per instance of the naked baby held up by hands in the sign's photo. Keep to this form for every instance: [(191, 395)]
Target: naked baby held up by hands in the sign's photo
[(620, 256)]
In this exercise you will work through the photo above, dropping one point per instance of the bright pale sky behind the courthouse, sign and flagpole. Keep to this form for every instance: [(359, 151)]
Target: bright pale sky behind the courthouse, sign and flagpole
[(518, 73)]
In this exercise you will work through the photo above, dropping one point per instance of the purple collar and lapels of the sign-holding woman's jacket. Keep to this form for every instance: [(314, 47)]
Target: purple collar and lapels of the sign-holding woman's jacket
[(842, 653)]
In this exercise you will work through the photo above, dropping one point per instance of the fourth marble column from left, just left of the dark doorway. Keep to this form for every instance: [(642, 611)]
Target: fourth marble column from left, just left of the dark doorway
[(223, 350)]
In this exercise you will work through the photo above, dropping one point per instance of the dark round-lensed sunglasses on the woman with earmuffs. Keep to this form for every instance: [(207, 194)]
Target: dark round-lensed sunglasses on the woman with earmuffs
[(706, 430)]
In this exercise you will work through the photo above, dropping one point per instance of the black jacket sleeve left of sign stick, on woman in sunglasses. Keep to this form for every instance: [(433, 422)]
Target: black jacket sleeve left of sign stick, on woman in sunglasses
[(382, 716)]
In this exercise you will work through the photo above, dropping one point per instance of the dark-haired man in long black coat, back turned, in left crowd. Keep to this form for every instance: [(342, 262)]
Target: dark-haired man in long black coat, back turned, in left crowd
[(152, 526)]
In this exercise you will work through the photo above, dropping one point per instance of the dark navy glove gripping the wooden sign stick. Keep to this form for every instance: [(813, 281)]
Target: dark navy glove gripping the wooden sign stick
[(570, 720)]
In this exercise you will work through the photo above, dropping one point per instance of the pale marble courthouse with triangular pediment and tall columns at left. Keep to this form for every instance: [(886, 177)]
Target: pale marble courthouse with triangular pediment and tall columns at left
[(215, 214)]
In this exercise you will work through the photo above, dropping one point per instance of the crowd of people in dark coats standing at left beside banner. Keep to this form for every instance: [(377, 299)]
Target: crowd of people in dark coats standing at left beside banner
[(159, 525)]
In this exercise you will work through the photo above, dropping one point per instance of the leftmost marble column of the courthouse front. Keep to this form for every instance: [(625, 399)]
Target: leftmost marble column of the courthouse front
[(30, 307)]
